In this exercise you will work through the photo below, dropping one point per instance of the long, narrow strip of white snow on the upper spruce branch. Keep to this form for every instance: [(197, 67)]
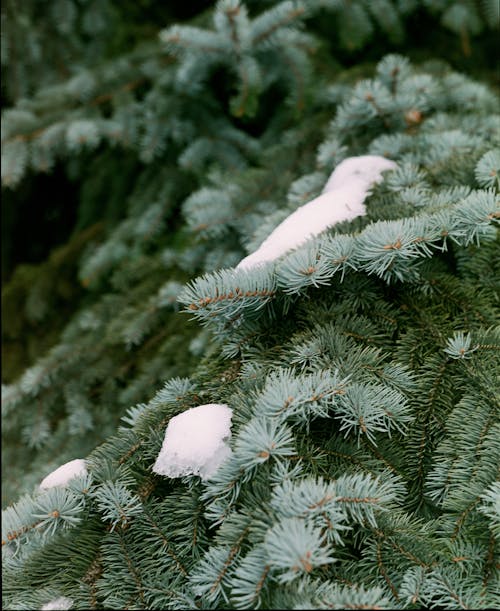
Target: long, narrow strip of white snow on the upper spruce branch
[(342, 199)]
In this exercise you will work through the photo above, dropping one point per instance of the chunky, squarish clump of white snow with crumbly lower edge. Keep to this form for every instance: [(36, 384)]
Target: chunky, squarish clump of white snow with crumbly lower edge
[(195, 442)]
